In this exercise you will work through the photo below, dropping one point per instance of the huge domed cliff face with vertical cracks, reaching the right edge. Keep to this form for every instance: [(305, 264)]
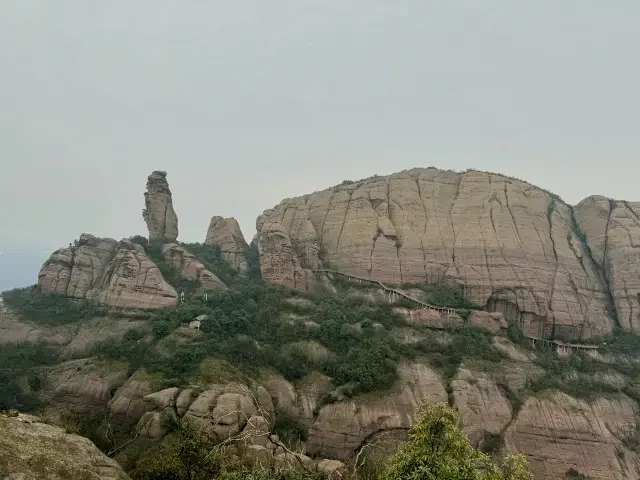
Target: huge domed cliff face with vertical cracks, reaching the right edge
[(516, 248)]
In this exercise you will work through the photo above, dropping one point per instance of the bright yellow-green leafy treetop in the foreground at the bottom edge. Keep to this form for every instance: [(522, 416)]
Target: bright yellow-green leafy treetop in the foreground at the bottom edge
[(439, 450)]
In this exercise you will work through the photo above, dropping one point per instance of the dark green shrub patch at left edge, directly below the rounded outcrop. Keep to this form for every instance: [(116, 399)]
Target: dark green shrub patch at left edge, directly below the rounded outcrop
[(49, 308)]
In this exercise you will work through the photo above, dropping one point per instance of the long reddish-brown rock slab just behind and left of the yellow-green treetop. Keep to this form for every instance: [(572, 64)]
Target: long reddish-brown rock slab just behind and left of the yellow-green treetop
[(341, 427)]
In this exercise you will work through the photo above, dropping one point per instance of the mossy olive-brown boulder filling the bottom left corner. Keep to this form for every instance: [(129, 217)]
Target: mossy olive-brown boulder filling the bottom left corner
[(32, 450)]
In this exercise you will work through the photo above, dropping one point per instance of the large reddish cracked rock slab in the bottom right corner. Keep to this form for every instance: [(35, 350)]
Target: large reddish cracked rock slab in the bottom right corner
[(558, 433)]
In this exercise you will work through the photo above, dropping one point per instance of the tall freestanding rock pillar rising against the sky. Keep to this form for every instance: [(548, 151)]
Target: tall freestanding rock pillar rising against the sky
[(158, 214)]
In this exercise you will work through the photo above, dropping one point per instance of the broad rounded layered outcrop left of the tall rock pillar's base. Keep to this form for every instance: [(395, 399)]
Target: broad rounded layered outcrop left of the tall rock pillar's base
[(117, 274)]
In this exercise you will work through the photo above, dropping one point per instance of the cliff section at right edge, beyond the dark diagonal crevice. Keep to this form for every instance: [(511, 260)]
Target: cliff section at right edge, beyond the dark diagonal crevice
[(612, 230)]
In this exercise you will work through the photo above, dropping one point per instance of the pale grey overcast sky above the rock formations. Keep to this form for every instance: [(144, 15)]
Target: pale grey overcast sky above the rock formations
[(247, 102)]
